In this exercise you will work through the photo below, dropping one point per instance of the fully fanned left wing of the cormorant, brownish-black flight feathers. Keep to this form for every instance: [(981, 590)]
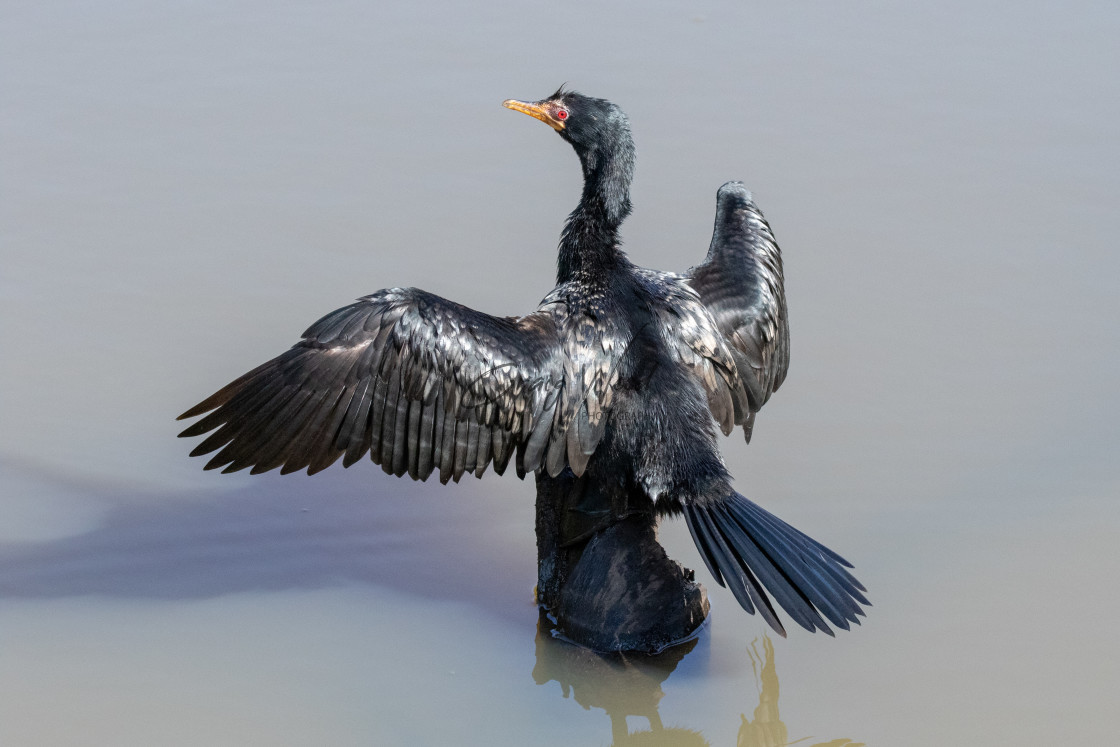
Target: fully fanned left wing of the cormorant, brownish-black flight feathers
[(414, 380)]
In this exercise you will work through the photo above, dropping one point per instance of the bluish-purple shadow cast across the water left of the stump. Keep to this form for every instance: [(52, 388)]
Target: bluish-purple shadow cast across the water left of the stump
[(275, 536)]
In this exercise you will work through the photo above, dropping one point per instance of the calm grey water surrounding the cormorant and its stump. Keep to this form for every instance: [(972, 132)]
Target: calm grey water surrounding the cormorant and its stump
[(186, 186)]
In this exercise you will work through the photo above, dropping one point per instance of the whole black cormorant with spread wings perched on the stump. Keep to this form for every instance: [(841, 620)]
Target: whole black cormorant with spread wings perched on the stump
[(622, 373)]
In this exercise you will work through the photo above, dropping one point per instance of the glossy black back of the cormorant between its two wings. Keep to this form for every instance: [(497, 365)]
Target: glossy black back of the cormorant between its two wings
[(660, 435)]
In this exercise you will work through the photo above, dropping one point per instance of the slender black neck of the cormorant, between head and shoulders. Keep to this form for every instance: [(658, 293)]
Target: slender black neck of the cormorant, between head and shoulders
[(590, 250)]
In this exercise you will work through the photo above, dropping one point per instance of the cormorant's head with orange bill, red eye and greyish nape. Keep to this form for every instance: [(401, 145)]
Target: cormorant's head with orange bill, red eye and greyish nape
[(600, 133)]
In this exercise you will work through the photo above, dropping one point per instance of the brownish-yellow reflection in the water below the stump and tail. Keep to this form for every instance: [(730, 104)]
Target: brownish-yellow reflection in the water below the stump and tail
[(626, 686)]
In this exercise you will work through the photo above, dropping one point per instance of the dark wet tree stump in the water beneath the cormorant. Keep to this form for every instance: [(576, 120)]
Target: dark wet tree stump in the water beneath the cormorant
[(602, 574)]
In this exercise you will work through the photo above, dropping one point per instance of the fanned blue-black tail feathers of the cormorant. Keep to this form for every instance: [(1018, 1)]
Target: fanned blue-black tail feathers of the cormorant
[(752, 549)]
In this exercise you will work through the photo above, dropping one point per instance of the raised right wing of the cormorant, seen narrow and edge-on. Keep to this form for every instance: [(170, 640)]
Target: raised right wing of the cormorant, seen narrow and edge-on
[(741, 284)]
